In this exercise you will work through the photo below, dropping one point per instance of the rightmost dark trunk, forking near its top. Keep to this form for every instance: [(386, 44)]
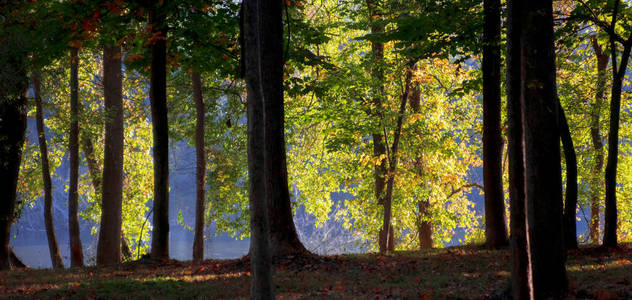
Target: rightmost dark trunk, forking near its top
[(610, 212)]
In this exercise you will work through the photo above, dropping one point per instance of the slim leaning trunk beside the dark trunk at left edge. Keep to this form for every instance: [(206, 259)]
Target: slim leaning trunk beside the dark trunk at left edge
[(53, 247)]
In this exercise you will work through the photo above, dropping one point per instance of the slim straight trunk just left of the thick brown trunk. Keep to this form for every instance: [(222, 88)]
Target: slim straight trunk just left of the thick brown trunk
[(76, 251)]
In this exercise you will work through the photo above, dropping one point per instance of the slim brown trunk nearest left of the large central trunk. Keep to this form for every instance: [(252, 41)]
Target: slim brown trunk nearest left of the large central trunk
[(200, 168)]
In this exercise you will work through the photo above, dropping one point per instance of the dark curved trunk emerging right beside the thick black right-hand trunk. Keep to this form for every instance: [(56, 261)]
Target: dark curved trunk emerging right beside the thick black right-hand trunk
[(569, 228)]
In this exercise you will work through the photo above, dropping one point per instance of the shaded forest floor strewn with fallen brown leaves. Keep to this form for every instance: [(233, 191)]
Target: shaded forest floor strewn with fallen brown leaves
[(466, 272)]
